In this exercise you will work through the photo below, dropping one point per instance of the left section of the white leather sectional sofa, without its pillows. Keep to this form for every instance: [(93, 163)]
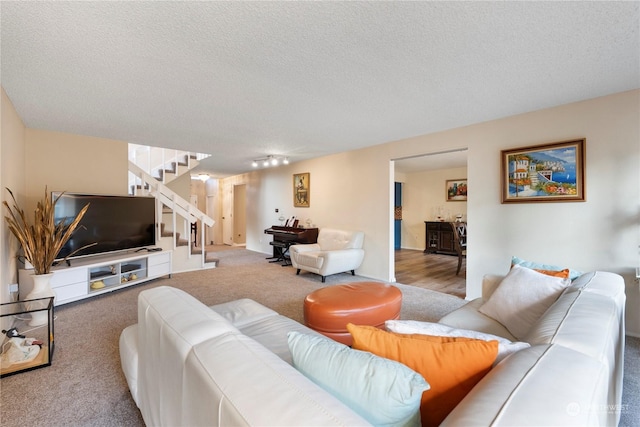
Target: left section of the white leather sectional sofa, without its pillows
[(190, 365)]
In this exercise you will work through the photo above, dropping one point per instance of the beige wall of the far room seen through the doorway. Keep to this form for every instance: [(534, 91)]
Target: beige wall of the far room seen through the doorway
[(423, 199)]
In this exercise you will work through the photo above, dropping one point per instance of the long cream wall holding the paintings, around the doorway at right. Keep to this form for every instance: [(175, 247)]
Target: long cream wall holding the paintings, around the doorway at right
[(354, 190)]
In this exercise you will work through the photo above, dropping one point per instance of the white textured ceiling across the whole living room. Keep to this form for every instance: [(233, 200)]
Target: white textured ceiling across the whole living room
[(242, 80)]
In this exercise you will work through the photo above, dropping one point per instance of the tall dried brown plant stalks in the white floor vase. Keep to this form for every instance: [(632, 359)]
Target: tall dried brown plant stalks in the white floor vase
[(42, 240)]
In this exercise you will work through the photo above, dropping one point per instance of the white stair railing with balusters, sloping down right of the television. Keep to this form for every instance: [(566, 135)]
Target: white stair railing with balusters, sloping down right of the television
[(178, 205)]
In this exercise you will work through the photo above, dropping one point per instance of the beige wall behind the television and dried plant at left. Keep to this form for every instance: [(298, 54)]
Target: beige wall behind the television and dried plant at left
[(34, 159)]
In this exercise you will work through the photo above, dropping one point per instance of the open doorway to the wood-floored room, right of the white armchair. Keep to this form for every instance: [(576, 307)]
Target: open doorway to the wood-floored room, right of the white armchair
[(422, 180)]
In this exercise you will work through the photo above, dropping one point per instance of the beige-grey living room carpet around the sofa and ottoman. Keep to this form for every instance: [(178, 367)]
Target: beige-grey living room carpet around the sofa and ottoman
[(85, 386)]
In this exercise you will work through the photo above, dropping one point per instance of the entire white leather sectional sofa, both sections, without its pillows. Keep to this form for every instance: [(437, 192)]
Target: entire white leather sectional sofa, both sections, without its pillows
[(189, 364)]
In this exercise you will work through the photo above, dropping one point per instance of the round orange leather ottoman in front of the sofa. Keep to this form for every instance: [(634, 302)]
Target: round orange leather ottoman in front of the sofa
[(328, 310)]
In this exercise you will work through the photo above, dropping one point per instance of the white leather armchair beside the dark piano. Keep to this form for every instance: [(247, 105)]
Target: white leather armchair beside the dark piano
[(336, 251)]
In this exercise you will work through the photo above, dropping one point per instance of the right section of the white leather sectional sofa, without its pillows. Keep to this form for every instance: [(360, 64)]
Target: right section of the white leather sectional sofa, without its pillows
[(571, 374)]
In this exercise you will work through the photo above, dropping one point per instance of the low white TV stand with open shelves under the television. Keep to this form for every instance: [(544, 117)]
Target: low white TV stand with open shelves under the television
[(88, 277)]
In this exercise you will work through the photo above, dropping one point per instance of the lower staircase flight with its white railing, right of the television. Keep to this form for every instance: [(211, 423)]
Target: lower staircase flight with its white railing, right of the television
[(175, 216)]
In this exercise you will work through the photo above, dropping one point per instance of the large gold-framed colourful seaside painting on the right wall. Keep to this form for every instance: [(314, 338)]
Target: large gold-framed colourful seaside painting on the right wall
[(544, 173)]
